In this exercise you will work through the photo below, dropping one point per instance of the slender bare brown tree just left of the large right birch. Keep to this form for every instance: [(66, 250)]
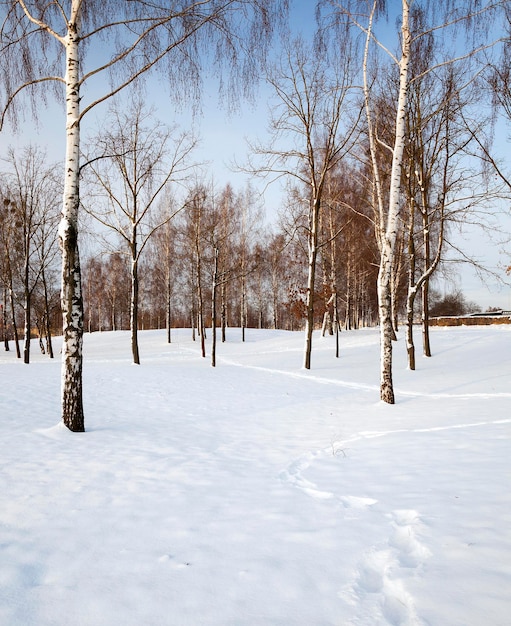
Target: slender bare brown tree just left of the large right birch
[(310, 137)]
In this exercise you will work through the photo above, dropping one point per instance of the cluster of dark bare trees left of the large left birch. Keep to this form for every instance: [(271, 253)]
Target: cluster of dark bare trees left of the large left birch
[(29, 212)]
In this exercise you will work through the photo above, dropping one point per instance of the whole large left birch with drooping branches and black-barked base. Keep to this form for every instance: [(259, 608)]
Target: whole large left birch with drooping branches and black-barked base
[(124, 40)]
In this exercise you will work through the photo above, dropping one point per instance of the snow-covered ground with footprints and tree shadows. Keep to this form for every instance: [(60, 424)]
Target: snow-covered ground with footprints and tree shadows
[(258, 493)]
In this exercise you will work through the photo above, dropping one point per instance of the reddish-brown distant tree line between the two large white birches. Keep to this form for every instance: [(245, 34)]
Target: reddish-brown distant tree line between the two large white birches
[(218, 242)]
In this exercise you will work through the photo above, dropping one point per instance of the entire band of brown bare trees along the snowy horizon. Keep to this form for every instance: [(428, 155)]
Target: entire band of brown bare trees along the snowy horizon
[(210, 253)]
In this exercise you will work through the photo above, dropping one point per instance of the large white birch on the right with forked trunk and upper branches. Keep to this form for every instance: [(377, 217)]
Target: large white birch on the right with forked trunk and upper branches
[(460, 31)]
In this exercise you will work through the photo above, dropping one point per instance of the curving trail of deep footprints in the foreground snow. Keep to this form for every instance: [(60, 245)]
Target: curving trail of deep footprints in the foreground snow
[(380, 580)]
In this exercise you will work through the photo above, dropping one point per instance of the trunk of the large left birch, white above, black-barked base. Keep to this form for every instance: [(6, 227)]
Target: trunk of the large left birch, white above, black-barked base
[(71, 294)]
